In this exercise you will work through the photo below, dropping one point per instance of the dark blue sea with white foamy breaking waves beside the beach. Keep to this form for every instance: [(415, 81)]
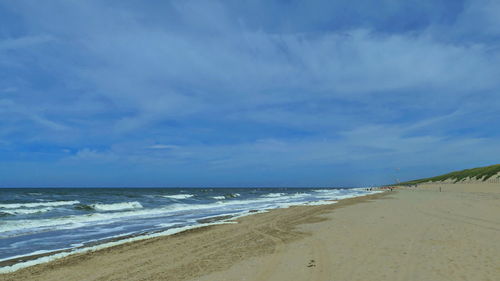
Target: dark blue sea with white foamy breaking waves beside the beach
[(39, 222)]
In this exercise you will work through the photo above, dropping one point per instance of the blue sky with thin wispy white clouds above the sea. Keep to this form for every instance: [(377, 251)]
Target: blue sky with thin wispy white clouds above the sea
[(246, 93)]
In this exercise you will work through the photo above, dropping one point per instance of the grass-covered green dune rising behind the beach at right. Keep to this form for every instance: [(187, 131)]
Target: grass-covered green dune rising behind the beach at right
[(483, 173)]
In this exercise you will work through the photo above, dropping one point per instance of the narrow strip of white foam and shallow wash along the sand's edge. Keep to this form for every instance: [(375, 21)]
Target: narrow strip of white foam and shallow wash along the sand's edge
[(16, 263)]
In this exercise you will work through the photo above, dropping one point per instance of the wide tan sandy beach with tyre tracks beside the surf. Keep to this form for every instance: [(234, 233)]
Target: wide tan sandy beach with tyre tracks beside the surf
[(410, 234)]
